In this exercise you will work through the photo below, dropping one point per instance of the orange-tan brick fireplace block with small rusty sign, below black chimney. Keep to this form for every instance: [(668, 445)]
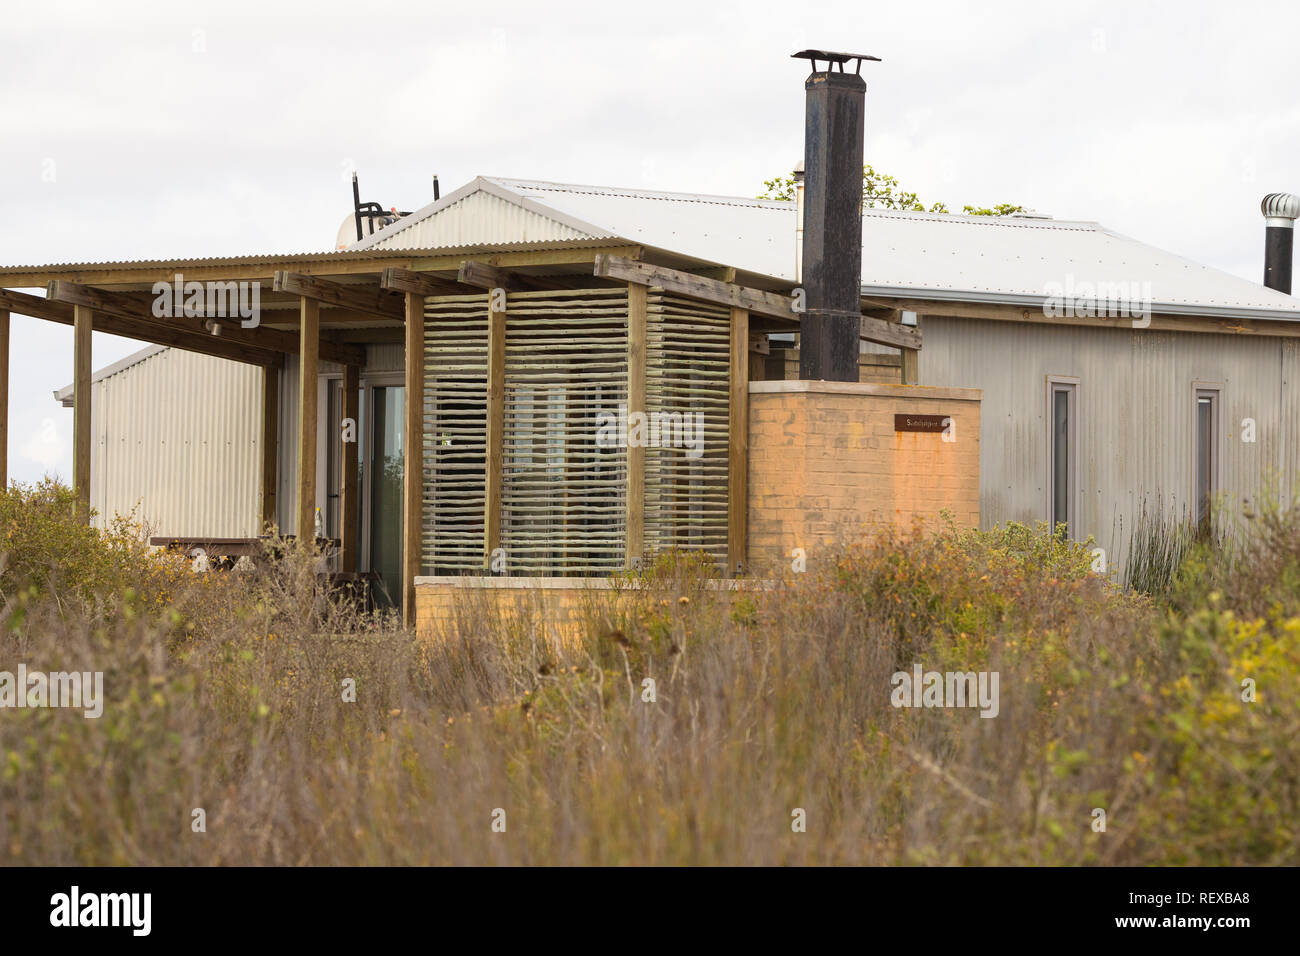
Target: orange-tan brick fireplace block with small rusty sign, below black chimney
[(825, 461)]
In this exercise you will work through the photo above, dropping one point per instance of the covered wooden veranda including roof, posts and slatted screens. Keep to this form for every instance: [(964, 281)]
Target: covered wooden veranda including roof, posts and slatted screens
[(513, 352)]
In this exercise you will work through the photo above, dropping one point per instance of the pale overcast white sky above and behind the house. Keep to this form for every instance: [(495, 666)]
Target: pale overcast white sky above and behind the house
[(188, 129)]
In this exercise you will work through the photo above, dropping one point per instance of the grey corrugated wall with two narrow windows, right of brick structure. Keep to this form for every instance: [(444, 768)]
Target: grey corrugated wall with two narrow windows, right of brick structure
[(1136, 414)]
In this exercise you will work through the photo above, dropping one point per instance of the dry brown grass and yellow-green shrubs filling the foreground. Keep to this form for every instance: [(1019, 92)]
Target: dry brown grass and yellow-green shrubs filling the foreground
[(226, 694)]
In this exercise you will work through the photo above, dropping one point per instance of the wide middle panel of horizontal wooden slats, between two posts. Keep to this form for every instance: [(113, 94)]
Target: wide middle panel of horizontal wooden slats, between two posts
[(564, 494)]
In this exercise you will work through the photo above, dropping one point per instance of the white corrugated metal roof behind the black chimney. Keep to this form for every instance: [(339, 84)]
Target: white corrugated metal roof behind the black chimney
[(904, 254)]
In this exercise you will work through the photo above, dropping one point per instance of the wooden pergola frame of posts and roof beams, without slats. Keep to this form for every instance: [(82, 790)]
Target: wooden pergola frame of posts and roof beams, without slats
[(328, 308)]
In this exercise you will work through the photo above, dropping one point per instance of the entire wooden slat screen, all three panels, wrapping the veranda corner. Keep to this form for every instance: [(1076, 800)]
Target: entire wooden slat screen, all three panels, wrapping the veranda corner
[(564, 495)]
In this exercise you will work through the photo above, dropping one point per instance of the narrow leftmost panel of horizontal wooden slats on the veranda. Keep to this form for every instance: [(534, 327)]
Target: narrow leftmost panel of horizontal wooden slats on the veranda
[(456, 432)]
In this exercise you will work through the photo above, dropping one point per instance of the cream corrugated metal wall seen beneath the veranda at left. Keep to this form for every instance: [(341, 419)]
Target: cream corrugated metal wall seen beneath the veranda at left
[(179, 438)]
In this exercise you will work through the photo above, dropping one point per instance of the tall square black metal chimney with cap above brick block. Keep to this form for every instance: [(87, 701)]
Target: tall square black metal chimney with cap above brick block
[(833, 218)]
